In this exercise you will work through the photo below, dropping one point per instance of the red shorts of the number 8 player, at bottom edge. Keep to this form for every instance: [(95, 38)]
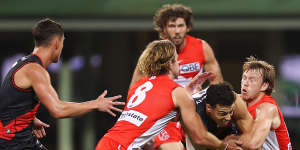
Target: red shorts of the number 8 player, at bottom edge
[(108, 144)]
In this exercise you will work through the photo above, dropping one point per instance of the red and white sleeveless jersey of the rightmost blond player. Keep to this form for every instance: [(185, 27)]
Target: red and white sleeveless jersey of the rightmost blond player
[(278, 139)]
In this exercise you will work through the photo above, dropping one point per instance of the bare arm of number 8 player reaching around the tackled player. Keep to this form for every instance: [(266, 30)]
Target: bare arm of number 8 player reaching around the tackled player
[(192, 121)]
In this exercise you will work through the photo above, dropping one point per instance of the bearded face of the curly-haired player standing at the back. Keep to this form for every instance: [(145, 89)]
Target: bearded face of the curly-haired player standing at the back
[(176, 31)]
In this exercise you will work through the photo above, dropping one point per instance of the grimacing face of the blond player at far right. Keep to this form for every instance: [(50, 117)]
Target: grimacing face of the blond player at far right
[(251, 84)]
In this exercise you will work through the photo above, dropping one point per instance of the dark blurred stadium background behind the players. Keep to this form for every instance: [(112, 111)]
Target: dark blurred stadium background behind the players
[(105, 37)]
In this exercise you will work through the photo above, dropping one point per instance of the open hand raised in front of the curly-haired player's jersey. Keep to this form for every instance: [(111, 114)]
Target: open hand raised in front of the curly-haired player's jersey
[(197, 81)]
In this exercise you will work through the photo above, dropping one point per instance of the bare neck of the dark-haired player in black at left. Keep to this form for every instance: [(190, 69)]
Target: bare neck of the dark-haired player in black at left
[(44, 54)]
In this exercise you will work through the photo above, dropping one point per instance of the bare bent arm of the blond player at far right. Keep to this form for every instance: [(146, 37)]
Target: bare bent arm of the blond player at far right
[(267, 118)]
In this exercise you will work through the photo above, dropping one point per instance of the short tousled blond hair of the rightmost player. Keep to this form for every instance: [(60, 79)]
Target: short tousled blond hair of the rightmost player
[(267, 71)]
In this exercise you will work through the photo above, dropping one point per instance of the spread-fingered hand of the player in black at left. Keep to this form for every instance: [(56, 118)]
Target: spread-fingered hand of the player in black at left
[(107, 104)]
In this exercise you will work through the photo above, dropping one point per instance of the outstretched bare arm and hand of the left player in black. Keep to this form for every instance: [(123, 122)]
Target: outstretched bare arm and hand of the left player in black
[(39, 80)]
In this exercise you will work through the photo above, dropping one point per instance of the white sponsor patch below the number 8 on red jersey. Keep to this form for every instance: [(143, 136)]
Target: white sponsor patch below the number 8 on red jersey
[(133, 117)]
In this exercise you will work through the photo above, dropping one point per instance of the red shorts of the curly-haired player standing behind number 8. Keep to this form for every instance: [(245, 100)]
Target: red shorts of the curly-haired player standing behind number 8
[(173, 132)]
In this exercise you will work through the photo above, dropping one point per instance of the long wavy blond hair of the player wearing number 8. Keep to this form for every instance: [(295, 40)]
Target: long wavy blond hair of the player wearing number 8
[(156, 57)]
